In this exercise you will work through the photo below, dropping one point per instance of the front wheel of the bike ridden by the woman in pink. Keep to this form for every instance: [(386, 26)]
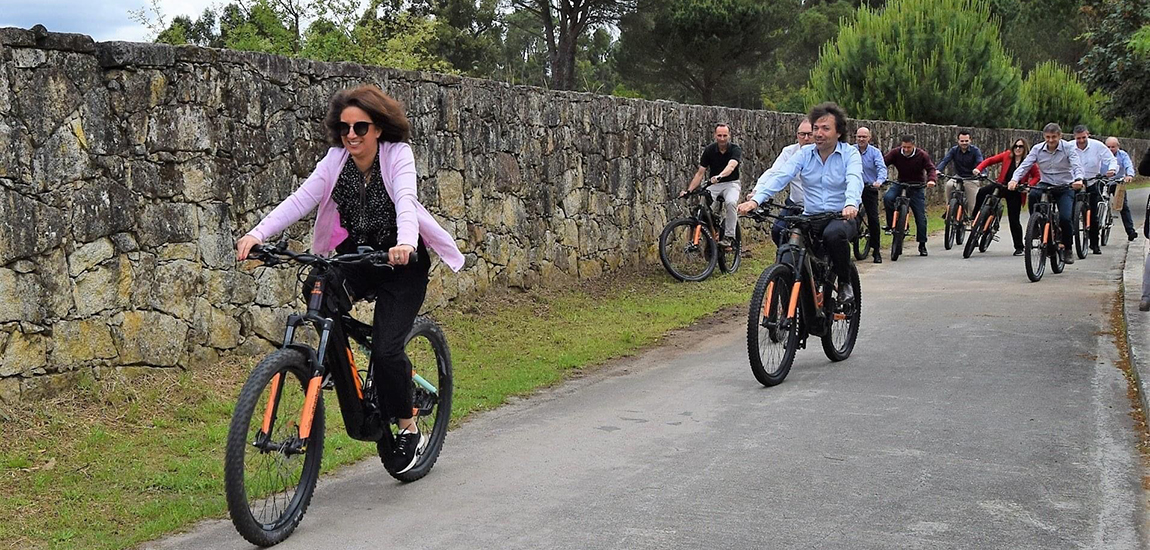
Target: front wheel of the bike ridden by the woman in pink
[(271, 469)]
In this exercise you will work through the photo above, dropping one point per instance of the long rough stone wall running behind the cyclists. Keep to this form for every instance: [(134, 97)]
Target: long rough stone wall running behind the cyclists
[(128, 171)]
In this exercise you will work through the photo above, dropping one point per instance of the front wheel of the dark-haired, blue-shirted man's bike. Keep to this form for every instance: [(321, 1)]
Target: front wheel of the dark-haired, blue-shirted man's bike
[(772, 338)]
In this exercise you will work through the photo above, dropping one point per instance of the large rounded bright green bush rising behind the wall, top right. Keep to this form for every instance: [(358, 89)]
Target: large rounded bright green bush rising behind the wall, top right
[(938, 62)]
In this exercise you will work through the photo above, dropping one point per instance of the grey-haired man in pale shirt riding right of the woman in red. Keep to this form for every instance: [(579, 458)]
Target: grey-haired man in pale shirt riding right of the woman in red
[(1060, 165)]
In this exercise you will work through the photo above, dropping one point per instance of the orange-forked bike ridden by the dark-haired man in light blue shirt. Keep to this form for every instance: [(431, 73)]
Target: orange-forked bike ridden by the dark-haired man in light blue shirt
[(795, 299)]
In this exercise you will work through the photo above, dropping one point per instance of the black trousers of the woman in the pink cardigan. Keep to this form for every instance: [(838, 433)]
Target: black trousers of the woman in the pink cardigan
[(400, 296)]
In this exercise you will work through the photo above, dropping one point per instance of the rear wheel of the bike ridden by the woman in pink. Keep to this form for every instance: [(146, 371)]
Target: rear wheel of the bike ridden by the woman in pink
[(427, 348)]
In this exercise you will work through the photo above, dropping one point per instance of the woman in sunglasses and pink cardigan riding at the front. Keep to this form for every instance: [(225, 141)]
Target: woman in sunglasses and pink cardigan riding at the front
[(365, 192)]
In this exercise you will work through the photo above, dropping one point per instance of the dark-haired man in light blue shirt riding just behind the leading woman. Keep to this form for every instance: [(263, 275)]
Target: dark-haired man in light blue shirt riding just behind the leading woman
[(832, 174)]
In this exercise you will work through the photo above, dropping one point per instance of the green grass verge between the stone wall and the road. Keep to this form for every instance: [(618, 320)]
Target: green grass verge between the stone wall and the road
[(125, 461)]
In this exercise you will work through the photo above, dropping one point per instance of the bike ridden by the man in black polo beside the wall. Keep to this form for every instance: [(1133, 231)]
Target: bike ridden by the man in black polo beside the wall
[(689, 247)]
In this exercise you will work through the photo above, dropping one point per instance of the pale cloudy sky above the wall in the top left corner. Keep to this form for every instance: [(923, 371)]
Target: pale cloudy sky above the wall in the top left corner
[(103, 20)]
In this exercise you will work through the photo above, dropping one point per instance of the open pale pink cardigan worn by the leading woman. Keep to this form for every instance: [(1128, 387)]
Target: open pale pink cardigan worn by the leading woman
[(397, 166)]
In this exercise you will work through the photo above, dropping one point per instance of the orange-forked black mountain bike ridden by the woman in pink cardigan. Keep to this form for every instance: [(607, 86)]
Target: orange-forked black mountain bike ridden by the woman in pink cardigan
[(275, 442)]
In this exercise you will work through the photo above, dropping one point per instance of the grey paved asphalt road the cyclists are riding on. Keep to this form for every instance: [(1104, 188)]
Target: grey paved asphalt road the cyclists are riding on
[(978, 411)]
